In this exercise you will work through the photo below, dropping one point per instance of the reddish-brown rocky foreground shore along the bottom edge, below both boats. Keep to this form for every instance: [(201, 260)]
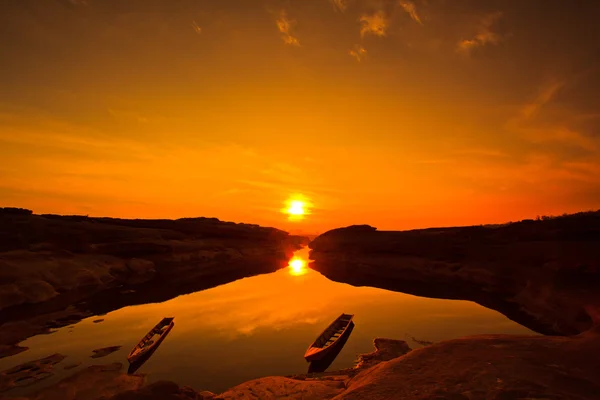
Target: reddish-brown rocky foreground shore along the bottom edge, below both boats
[(494, 367)]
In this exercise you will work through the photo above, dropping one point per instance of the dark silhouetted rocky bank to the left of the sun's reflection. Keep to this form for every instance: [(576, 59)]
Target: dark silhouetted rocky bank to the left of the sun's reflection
[(56, 270)]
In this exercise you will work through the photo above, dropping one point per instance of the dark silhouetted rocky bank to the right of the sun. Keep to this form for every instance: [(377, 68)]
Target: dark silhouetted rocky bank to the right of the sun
[(543, 274)]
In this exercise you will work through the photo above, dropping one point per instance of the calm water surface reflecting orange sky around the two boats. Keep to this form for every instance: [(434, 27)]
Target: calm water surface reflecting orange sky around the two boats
[(257, 327)]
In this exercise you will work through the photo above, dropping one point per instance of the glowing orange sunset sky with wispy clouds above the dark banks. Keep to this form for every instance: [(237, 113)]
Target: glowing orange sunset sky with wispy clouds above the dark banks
[(394, 113)]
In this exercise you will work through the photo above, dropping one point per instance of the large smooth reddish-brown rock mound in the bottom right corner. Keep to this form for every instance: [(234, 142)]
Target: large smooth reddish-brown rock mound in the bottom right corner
[(487, 367)]
